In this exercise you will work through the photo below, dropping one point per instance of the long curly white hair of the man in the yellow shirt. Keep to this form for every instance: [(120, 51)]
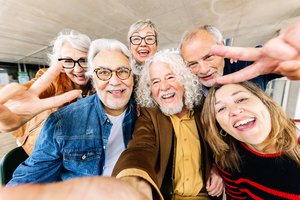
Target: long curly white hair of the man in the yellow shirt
[(192, 87)]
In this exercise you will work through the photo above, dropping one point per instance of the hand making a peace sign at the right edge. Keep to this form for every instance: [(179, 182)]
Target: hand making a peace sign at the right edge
[(280, 55)]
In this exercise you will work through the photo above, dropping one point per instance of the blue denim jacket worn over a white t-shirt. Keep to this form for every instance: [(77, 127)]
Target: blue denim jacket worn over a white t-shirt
[(72, 143)]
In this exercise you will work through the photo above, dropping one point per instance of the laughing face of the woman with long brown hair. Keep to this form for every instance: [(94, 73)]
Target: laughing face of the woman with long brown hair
[(242, 115)]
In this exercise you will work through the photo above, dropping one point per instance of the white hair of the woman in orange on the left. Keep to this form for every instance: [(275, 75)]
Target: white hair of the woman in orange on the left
[(76, 39)]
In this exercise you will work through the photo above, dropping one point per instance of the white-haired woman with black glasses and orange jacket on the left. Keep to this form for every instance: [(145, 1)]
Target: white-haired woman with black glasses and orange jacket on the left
[(69, 53)]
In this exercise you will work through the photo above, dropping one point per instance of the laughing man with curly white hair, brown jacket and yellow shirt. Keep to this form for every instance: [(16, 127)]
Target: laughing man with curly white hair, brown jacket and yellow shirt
[(168, 156)]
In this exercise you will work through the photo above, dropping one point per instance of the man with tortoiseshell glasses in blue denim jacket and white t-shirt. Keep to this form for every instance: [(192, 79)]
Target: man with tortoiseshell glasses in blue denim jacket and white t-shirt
[(86, 138)]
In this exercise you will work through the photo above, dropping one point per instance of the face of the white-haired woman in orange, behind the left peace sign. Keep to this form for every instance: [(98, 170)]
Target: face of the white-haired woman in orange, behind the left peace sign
[(76, 74)]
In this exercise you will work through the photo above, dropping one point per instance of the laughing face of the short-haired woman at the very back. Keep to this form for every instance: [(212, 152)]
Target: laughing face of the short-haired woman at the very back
[(143, 50)]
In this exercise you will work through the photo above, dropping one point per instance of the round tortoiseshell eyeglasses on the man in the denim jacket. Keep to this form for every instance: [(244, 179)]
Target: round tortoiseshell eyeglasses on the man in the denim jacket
[(105, 74)]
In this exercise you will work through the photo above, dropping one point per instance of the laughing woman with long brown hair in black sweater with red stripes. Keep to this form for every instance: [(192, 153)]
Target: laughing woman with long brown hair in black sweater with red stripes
[(255, 144)]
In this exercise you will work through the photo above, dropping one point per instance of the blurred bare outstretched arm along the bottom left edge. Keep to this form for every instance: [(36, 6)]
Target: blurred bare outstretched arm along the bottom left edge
[(87, 188)]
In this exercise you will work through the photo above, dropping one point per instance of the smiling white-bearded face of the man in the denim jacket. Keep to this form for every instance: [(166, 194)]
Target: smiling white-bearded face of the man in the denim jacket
[(114, 93)]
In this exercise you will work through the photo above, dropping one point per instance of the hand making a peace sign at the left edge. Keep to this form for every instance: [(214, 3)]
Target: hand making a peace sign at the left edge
[(19, 104)]
